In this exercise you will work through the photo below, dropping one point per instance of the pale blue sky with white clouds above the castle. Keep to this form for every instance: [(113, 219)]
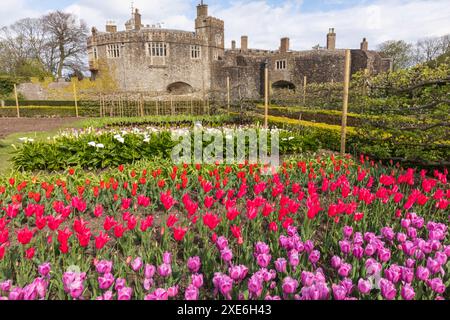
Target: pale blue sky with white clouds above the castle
[(306, 22)]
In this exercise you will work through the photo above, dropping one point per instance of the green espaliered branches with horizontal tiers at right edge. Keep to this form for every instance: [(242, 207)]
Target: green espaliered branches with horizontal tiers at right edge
[(413, 108)]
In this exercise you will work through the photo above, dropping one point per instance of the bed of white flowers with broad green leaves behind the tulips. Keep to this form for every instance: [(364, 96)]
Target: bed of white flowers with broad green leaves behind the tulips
[(102, 148)]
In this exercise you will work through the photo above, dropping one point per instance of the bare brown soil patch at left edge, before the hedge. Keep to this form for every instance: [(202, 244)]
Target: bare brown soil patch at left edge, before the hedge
[(13, 125)]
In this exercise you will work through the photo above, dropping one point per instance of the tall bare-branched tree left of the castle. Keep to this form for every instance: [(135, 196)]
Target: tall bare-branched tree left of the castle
[(68, 38)]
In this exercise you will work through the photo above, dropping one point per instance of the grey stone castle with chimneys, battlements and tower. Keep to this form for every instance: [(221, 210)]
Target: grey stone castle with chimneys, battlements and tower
[(173, 62)]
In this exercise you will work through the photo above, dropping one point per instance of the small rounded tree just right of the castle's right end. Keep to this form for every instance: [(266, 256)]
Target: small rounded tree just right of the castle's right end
[(400, 52)]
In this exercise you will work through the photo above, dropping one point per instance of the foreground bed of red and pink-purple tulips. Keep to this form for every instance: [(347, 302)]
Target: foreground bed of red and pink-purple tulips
[(322, 228)]
